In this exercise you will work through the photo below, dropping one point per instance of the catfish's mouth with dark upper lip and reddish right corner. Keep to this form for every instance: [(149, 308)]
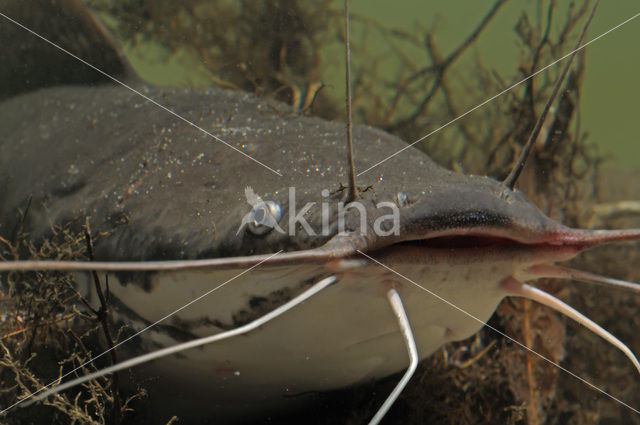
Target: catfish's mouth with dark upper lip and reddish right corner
[(470, 219)]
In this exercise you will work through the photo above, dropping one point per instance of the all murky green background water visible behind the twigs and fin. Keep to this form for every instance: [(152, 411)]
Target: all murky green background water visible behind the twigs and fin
[(608, 111)]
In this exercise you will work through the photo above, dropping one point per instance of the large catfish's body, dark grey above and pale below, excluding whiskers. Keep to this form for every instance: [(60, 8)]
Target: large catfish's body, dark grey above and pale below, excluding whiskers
[(155, 187)]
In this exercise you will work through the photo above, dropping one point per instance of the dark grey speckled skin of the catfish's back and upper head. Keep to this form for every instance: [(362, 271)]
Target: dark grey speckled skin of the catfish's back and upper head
[(108, 154)]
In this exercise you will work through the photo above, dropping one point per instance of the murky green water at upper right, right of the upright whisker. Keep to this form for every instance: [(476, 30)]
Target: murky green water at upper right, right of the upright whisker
[(609, 92)]
